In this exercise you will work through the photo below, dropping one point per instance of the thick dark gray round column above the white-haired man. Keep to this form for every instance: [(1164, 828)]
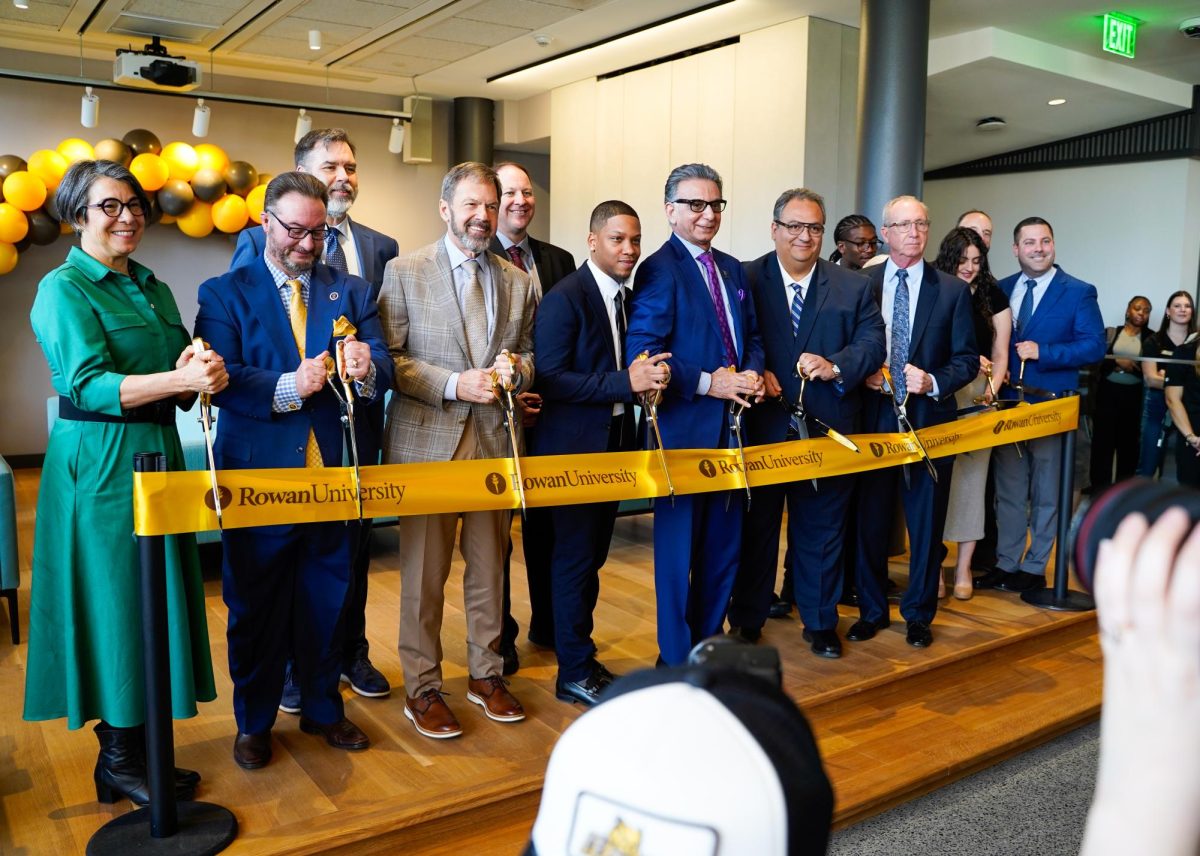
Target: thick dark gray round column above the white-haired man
[(893, 64)]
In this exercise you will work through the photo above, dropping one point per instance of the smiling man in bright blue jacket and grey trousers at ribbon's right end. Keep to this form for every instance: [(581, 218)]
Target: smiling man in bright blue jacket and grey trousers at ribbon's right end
[(1058, 330)]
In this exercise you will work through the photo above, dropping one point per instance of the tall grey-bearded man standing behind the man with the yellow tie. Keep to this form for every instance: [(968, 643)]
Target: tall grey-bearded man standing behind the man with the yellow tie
[(329, 155)]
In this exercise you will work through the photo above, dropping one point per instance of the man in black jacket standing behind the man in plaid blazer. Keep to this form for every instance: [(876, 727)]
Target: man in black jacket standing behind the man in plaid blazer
[(547, 265)]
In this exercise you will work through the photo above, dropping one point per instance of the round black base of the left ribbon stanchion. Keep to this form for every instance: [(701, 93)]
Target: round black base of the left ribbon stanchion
[(205, 830)]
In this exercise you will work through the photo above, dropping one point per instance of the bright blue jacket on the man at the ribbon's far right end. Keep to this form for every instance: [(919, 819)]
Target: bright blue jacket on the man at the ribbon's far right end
[(1067, 327)]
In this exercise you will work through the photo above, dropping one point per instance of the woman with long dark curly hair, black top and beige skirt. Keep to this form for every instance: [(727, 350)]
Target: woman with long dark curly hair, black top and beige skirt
[(964, 255)]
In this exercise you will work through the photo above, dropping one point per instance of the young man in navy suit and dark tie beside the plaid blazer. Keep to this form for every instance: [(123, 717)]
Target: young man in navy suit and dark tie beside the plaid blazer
[(589, 408)]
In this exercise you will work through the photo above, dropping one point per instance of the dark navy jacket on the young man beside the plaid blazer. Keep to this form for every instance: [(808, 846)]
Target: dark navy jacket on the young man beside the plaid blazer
[(579, 375)]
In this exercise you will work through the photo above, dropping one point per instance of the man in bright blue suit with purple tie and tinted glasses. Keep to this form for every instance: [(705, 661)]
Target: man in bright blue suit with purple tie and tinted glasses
[(694, 303)]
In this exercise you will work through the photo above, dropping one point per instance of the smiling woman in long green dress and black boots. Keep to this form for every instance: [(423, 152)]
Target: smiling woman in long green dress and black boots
[(122, 362)]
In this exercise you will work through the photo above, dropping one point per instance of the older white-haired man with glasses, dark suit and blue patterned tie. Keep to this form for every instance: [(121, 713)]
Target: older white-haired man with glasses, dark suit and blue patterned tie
[(932, 356)]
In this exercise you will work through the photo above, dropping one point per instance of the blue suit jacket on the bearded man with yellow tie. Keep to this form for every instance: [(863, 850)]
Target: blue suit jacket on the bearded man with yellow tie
[(244, 320)]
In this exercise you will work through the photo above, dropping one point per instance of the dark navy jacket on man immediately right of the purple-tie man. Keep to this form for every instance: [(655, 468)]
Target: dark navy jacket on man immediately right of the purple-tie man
[(841, 322)]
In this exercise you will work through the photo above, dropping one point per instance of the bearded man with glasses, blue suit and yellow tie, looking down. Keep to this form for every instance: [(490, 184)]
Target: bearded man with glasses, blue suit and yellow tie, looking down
[(286, 585)]
